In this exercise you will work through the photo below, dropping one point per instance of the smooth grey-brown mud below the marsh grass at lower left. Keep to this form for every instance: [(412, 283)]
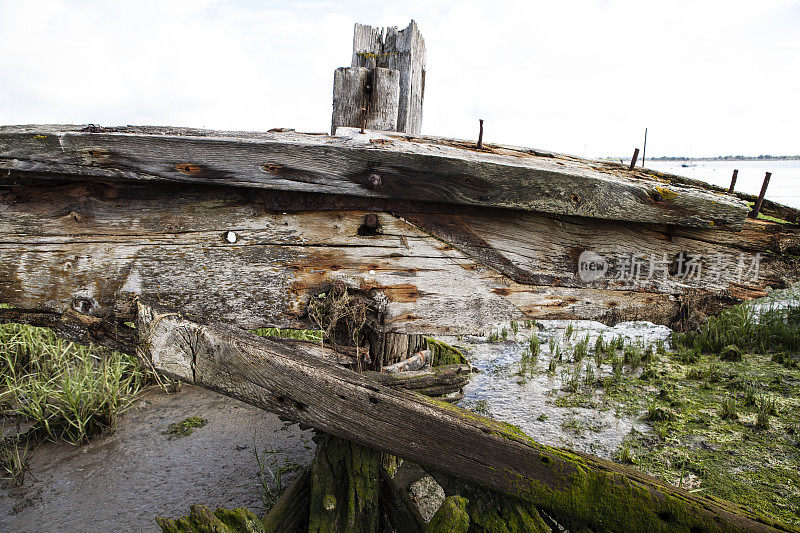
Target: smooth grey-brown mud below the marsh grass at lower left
[(124, 480)]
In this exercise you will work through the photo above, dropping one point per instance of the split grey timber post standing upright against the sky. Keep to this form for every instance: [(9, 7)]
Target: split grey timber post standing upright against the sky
[(384, 87)]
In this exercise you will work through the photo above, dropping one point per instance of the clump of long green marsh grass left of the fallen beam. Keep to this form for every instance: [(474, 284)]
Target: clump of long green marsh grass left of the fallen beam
[(69, 392)]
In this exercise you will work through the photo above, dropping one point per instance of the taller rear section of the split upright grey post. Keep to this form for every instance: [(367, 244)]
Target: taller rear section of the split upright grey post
[(404, 51)]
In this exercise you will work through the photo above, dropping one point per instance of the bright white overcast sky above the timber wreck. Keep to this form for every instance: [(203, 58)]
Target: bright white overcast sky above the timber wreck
[(582, 77)]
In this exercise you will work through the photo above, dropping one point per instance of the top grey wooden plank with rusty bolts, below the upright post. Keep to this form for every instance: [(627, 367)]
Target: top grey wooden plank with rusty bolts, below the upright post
[(378, 166)]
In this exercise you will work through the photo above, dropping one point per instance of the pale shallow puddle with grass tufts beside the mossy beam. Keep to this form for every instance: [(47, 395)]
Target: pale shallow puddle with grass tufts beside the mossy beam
[(528, 402)]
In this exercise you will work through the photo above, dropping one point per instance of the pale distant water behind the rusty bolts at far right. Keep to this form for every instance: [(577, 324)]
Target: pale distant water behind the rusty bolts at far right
[(784, 186)]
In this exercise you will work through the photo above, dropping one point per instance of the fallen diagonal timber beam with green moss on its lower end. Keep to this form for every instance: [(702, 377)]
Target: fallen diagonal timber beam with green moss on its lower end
[(577, 489)]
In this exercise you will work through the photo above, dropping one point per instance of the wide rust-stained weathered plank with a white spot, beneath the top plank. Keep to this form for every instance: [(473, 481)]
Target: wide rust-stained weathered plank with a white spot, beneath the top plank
[(81, 246)]
